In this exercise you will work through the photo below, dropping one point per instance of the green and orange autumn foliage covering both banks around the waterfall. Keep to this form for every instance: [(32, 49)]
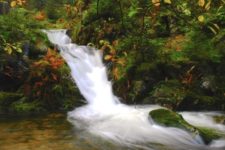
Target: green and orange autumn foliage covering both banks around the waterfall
[(164, 51)]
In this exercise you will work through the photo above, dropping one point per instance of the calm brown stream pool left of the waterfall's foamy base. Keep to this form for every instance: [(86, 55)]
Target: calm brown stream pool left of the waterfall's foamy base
[(51, 132)]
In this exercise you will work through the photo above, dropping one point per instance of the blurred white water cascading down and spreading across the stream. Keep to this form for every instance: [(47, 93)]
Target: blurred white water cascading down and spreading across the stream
[(106, 117)]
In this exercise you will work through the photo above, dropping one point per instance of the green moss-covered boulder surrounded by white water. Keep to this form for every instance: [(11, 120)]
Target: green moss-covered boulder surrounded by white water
[(169, 118)]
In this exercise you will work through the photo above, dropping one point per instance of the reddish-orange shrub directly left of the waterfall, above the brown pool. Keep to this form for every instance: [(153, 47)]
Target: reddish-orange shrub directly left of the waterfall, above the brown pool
[(49, 81)]
